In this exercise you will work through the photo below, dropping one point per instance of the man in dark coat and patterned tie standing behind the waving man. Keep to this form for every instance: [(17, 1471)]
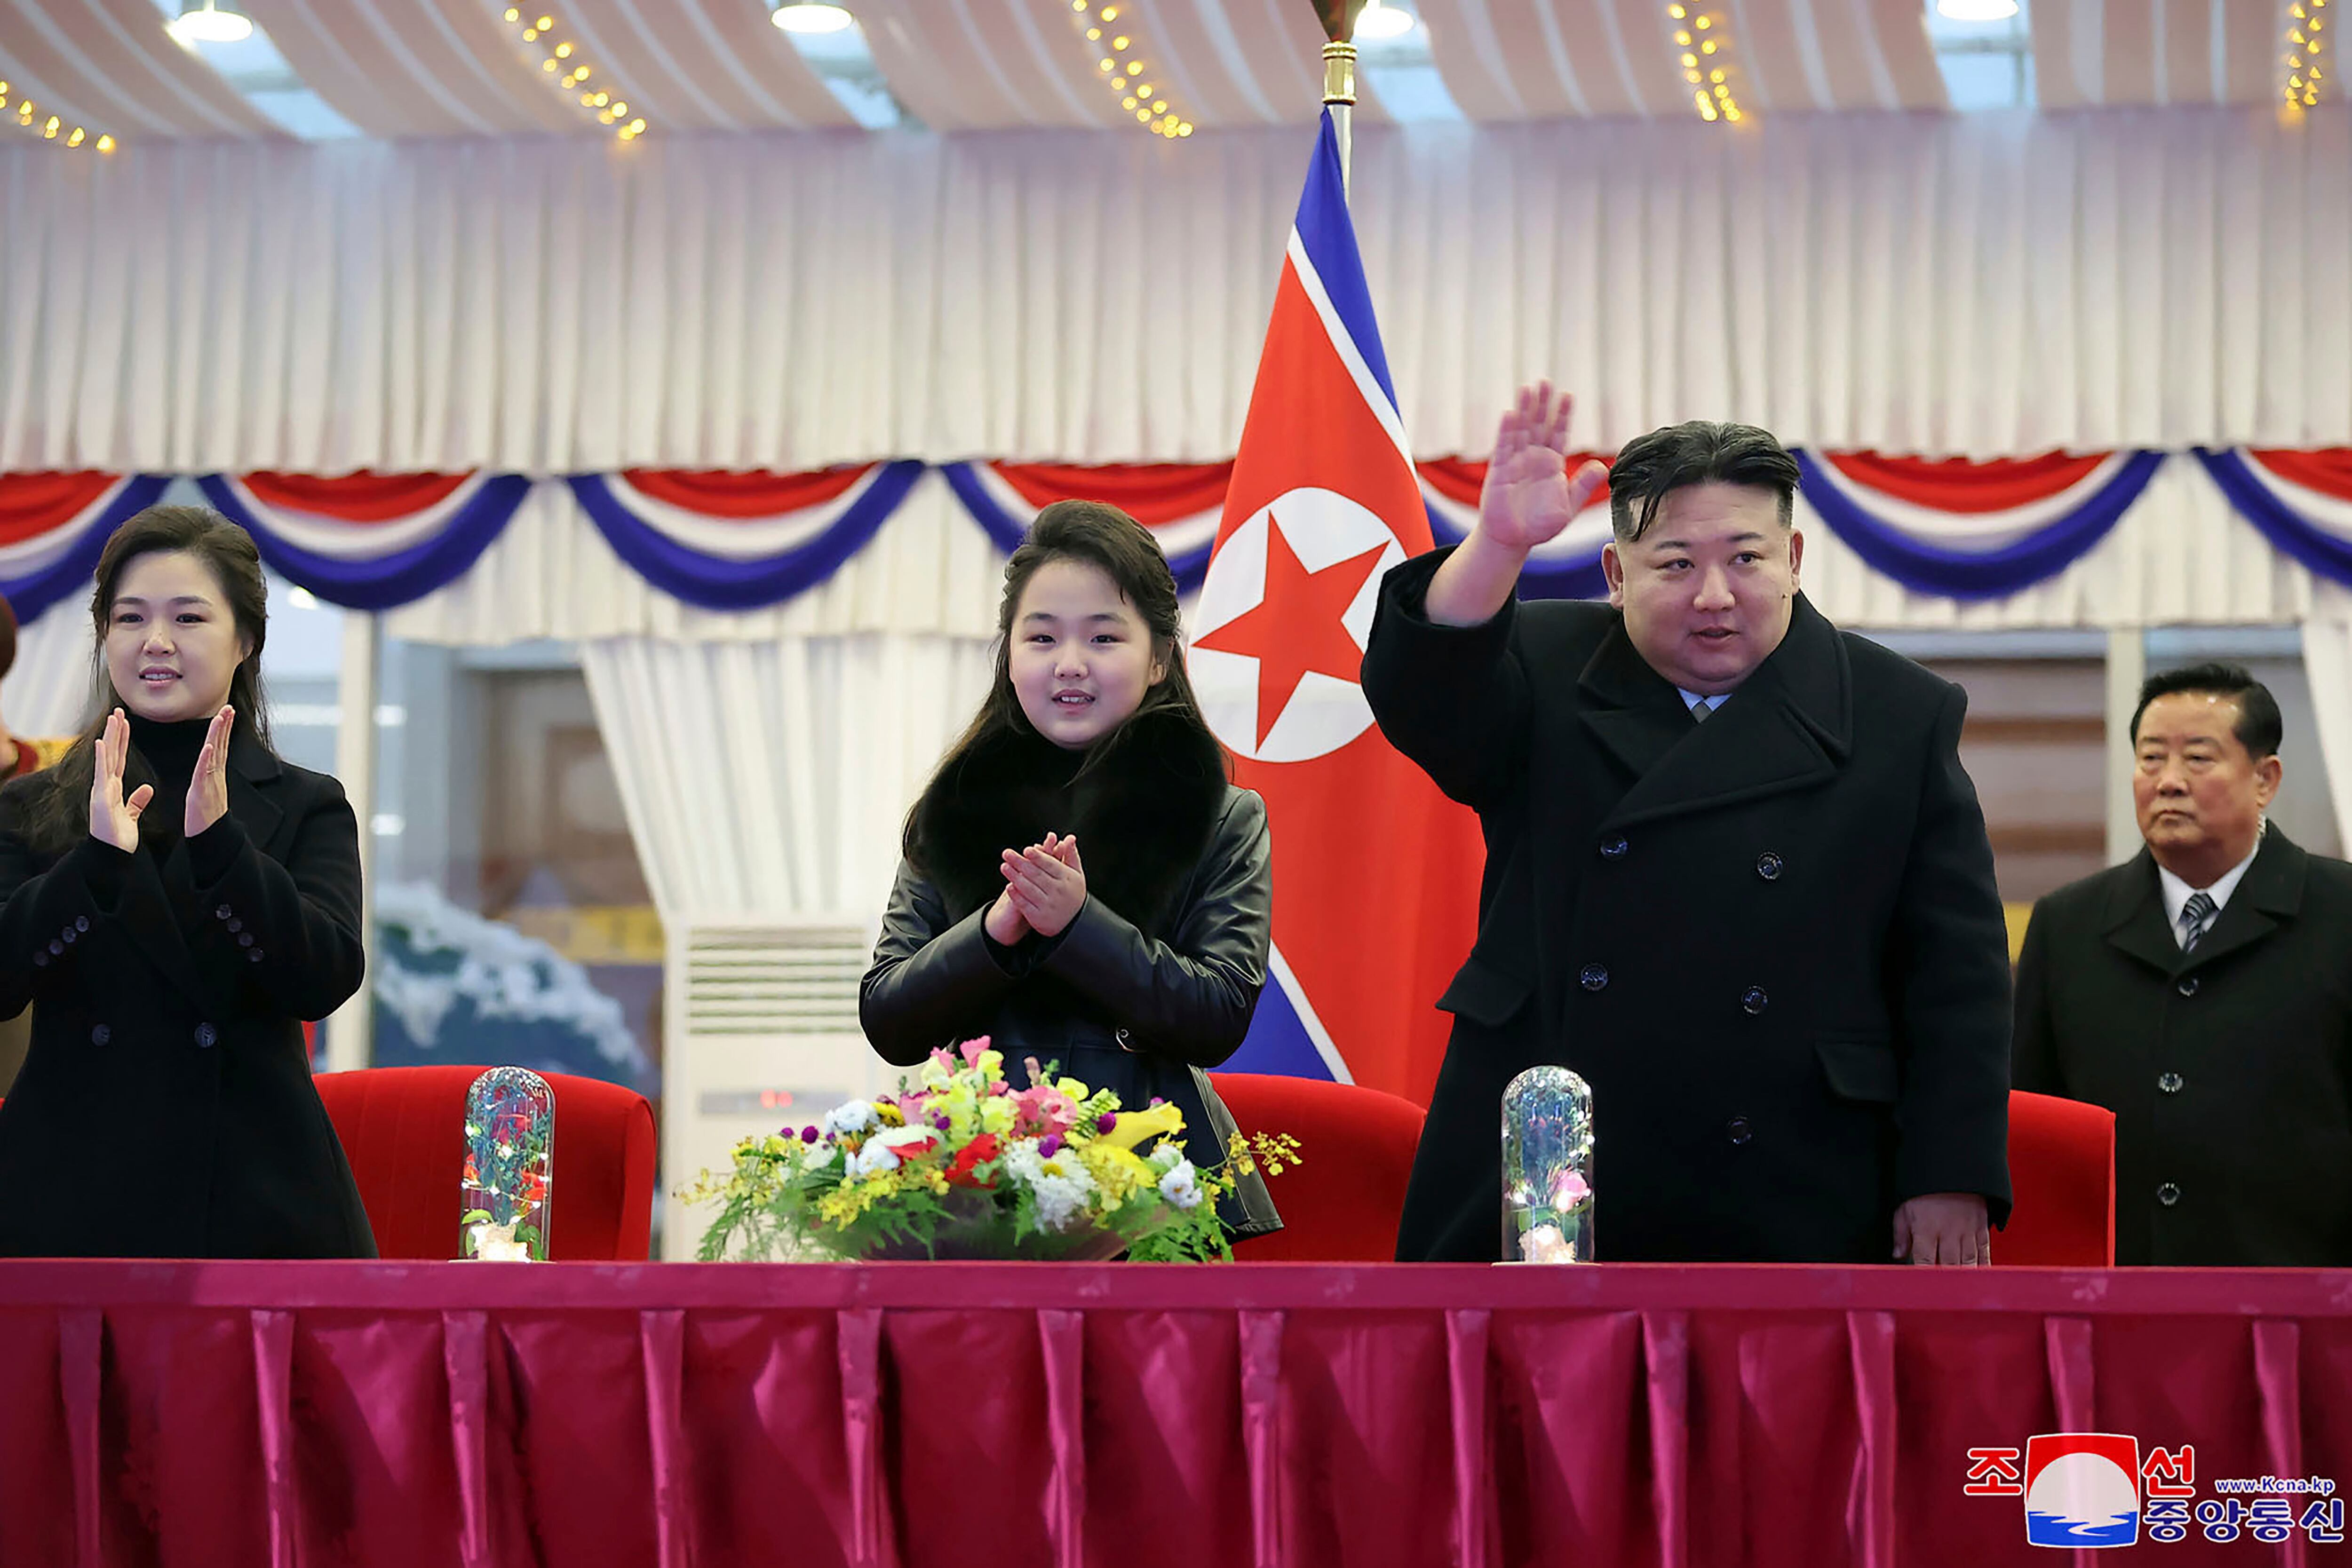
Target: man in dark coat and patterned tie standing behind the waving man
[(2203, 993)]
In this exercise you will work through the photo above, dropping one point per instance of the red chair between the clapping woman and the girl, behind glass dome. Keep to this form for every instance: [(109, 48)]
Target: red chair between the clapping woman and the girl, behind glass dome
[(406, 1137)]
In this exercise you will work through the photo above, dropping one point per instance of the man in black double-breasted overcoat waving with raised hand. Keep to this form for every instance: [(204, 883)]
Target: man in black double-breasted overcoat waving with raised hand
[(1735, 878)]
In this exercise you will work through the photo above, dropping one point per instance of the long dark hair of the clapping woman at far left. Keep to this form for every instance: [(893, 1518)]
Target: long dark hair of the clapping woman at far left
[(229, 554)]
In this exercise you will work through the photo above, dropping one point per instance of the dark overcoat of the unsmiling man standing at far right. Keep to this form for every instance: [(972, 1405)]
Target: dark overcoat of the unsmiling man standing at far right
[(2229, 1068)]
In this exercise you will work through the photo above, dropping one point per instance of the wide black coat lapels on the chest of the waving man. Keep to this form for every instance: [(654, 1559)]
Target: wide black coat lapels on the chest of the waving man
[(1786, 728)]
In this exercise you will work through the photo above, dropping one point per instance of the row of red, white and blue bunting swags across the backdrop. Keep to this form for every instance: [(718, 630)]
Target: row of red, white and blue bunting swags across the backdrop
[(735, 542)]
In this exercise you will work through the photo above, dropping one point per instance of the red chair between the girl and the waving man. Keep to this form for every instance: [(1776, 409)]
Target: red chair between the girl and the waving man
[(1342, 1202)]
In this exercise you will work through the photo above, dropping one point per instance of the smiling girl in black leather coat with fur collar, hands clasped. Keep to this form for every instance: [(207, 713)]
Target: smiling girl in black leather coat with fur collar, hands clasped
[(1081, 883)]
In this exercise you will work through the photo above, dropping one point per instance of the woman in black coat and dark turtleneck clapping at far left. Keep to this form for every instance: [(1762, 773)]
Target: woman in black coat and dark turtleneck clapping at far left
[(175, 899)]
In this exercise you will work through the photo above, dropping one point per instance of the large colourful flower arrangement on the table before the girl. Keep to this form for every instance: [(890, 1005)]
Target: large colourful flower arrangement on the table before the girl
[(968, 1167)]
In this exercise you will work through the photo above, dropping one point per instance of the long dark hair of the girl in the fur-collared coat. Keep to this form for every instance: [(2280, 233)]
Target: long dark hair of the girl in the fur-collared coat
[(1097, 535)]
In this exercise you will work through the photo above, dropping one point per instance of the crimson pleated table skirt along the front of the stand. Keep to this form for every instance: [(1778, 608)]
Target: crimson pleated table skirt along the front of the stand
[(274, 1414)]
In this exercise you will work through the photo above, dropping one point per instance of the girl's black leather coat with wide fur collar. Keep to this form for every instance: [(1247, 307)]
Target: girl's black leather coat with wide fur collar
[(1158, 974)]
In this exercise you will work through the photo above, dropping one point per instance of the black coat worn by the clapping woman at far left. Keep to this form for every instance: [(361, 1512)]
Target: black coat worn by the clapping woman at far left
[(166, 1106)]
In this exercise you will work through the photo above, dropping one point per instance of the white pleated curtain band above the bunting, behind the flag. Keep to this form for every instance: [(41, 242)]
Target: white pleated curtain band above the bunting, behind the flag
[(1982, 286)]
